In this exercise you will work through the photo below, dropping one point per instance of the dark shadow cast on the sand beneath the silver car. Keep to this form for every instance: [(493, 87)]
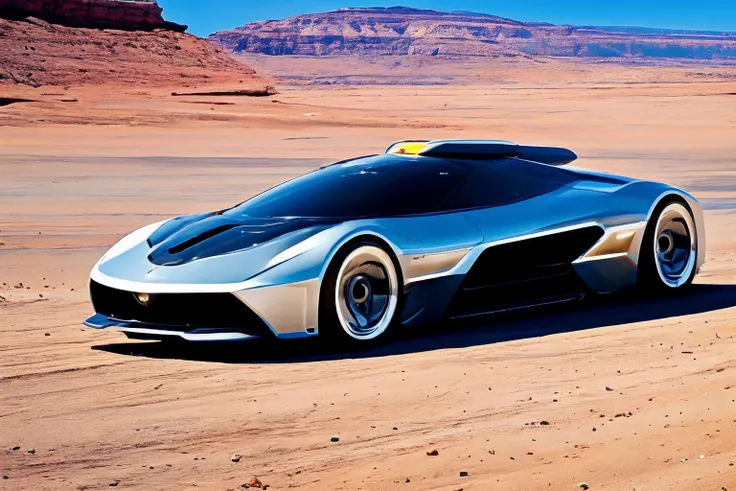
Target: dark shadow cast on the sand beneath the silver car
[(594, 313)]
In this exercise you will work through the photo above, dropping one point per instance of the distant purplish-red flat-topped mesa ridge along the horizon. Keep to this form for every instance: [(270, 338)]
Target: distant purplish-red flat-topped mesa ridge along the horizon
[(406, 31)]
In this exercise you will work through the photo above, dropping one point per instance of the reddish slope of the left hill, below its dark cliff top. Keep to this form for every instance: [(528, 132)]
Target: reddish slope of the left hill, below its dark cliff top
[(36, 53)]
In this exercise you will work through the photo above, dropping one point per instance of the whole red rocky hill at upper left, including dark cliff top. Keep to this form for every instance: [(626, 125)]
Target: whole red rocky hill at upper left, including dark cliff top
[(95, 42)]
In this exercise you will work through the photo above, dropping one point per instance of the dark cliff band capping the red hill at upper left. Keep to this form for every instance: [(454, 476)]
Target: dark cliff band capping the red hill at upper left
[(127, 15)]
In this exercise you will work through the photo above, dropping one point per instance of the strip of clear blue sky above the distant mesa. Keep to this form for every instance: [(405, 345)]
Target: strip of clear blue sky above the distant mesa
[(719, 15)]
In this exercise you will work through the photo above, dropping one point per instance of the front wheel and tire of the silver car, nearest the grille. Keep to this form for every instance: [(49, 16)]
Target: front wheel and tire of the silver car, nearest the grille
[(360, 295)]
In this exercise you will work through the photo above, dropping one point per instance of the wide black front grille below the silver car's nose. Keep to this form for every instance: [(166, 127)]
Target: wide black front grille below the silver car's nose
[(179, 311)]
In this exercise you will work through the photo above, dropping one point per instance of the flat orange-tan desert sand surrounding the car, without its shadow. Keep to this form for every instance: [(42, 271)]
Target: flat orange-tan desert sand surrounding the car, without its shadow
[(638, 393)]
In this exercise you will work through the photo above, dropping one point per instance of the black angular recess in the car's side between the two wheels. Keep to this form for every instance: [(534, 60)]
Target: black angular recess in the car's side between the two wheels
[(529, 272)]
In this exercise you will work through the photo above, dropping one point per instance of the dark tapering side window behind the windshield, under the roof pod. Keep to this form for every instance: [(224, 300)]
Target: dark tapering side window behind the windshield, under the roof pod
[(504, 182)]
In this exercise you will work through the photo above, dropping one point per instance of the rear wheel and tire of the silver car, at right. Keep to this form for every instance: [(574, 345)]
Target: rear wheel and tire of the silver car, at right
[(669, 250)]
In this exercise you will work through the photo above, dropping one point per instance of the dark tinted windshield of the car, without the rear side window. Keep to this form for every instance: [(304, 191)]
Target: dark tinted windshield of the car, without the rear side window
[(367, 187)]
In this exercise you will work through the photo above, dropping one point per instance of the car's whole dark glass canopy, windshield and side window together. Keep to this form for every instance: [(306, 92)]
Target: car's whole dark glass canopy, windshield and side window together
[(389, 185)]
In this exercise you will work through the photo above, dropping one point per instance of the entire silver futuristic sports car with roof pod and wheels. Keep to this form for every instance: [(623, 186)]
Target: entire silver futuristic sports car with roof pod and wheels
[(427, 230)]
